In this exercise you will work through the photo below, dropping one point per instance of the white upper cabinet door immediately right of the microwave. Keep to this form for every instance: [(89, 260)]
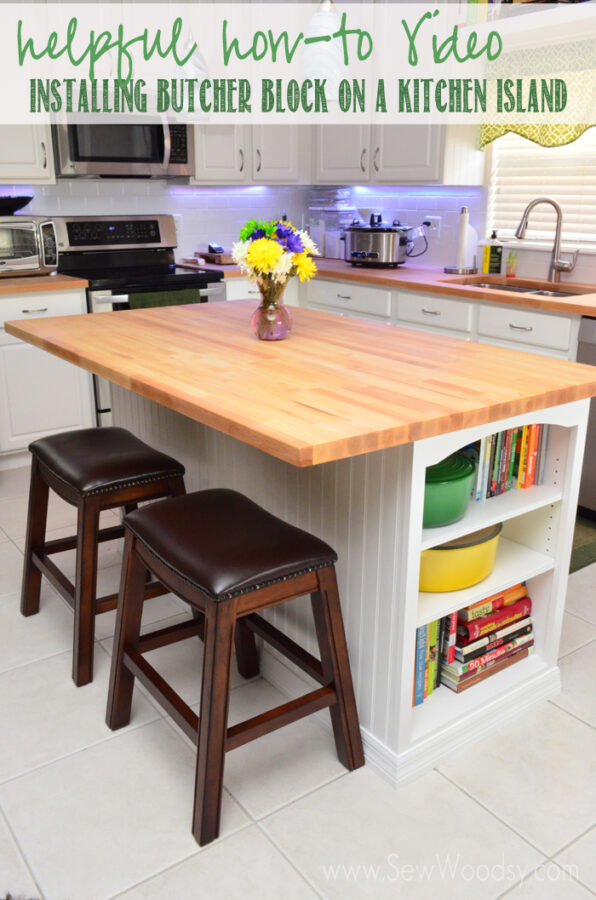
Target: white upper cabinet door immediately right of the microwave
[(222, 154)]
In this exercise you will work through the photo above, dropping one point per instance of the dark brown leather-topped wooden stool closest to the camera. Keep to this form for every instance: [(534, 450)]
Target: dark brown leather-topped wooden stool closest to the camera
[(229, 558)]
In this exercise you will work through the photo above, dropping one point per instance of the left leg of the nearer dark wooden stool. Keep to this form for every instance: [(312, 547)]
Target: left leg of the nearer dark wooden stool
[(128, 629)]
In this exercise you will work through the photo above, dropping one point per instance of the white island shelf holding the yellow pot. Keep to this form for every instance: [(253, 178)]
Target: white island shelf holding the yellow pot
[(514, 563)]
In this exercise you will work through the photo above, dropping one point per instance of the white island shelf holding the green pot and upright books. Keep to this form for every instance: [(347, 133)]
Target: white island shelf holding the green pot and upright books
[(494, 509)]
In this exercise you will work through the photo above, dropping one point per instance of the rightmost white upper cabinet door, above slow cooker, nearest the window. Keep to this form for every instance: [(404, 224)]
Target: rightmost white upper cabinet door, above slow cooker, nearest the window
[(407, 153)]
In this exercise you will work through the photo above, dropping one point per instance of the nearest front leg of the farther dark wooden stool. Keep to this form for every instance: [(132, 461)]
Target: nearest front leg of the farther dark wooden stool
[(86, 582)]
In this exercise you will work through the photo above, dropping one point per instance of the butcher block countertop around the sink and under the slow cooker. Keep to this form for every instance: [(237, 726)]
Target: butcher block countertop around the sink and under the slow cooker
[(433, 280)]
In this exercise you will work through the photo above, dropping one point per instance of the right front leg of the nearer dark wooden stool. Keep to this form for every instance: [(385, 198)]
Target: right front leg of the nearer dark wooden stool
[(336, 667)]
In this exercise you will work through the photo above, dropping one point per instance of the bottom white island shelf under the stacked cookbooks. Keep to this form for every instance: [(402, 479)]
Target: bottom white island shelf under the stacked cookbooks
[(446, 708)]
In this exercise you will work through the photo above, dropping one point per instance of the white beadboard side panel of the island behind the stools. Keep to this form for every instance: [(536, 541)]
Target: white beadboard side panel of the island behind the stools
[(359, 505)]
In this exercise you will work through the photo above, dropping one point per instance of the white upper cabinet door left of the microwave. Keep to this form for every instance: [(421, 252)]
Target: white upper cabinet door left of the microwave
[(26, 154)]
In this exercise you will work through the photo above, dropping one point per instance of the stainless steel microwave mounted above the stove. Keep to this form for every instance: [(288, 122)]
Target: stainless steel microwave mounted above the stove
[(142, 150)]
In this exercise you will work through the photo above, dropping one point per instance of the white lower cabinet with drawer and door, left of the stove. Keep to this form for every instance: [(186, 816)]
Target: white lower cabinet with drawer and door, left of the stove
[(39, 393)]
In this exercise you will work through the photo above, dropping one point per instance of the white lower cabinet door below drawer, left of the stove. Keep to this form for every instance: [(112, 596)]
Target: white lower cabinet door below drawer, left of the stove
[(39, 395)]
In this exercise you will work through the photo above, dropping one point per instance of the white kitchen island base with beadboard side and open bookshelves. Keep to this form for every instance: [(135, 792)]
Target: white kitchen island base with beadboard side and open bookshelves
[(369, 508)]
